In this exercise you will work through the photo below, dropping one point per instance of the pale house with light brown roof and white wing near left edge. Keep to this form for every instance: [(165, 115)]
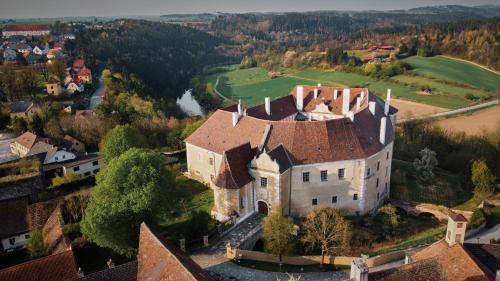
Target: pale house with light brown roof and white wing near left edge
[(29, 144)]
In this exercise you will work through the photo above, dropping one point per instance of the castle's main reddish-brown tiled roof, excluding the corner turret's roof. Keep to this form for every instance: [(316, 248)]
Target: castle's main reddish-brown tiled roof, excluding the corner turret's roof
[(306, 142)]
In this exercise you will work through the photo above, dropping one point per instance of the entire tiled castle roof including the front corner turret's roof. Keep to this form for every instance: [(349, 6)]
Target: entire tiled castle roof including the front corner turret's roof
[(303, 142)]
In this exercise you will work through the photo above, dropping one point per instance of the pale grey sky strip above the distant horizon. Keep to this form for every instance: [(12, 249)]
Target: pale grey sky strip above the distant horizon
[(60, 8)]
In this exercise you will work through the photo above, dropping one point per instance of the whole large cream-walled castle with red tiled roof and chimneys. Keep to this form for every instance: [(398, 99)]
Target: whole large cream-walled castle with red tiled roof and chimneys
[(318, 146)]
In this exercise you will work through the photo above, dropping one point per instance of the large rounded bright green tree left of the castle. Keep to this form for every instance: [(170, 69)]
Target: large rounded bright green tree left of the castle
[(132, 188)]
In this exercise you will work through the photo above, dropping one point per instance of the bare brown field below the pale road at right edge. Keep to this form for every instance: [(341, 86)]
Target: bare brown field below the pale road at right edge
[(474, 124)]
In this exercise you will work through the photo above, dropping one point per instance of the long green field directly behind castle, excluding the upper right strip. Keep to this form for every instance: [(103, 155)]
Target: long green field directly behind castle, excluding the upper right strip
[(253, 84)]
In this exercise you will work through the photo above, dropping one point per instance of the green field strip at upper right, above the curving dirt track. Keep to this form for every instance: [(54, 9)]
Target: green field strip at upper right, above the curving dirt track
[(442, 68)]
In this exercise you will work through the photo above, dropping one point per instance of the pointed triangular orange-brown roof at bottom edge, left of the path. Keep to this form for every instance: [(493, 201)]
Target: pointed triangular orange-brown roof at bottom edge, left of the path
[(160, 260)]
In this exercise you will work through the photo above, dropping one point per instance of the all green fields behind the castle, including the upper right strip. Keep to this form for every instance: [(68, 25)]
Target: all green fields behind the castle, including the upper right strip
[(253, 85)]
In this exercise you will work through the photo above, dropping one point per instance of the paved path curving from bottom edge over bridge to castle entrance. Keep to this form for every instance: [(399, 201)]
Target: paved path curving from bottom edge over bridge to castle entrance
[(212, 258)]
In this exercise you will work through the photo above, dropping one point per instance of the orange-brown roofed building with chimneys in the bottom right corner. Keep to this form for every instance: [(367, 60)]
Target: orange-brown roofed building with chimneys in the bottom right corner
[(447, 259)]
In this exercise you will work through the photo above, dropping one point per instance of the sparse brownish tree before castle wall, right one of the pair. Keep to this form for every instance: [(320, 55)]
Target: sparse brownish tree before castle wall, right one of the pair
[(327, 230)]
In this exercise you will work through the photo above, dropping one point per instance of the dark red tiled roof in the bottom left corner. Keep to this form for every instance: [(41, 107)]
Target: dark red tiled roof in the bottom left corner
[(60, 267)]
